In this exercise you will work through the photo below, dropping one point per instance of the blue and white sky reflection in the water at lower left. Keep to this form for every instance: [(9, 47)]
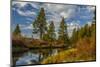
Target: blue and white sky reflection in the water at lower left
[(28, 58)]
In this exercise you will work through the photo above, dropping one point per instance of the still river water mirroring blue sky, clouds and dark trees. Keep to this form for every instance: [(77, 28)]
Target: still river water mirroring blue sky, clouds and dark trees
[(35, 56)]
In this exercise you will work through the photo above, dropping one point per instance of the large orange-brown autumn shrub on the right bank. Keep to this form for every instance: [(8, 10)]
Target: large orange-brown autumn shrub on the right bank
[(86, 48)]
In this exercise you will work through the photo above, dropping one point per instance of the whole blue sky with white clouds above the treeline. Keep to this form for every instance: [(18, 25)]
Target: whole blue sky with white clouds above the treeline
[(24, 14)]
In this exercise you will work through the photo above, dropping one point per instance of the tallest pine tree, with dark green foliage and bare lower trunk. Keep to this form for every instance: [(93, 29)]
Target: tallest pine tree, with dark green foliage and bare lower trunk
[(40, 24)]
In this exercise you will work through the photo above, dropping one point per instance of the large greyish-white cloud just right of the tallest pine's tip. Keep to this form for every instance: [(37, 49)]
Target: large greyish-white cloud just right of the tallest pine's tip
[(64, 11)]
